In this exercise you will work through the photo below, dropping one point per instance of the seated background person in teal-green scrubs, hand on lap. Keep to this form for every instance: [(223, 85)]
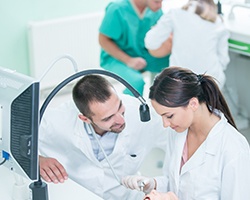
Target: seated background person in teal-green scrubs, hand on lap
[(121, 36)]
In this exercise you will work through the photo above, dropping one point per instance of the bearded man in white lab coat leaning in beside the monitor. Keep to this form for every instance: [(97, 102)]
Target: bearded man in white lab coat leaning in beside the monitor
[(68, 146)]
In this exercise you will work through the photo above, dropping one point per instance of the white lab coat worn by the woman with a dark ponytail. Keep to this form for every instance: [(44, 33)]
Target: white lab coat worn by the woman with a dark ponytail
[(218, 170)]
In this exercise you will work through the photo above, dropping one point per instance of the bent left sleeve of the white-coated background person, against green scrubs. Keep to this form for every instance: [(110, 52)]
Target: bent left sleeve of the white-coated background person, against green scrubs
[(159, 33)]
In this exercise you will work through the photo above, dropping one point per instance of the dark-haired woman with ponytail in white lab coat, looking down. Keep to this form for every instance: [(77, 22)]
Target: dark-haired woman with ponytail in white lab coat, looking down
[(206, 157)]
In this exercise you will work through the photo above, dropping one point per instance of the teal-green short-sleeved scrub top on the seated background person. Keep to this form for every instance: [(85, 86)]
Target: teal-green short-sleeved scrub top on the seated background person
[(127, 29)]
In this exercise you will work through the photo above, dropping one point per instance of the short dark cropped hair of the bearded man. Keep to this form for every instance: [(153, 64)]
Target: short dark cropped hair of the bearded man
[(91, 88)]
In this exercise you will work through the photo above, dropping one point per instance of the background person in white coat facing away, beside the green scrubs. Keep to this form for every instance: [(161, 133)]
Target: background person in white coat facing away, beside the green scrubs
[(200, 39)]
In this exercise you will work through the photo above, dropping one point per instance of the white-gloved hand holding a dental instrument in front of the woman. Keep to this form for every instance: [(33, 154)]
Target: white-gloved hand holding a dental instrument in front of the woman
[(137, 182)]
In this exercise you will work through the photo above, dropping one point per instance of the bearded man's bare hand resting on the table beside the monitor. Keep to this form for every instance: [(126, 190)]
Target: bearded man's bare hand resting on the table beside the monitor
[(51, 170)]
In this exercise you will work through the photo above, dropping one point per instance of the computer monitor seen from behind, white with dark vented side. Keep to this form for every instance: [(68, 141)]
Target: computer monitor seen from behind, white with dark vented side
[(19, 120)]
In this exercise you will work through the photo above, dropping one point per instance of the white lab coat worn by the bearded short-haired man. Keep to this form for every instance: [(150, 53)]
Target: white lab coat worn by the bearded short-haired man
[(62, 136)]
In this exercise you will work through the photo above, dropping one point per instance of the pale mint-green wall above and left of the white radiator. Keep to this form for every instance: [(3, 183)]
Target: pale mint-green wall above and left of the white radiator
[(15, 16)]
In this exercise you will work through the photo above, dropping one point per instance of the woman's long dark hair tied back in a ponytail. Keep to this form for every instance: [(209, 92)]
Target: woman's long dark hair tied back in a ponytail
[(175, 86)]
